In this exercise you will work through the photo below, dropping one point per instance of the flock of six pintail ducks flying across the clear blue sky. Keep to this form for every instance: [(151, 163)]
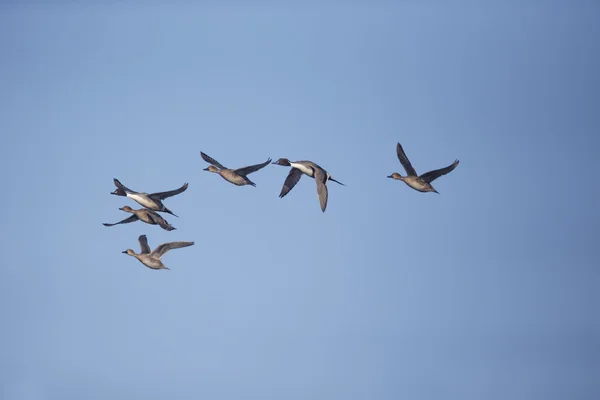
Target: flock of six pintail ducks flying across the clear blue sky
[(152, 202)]
